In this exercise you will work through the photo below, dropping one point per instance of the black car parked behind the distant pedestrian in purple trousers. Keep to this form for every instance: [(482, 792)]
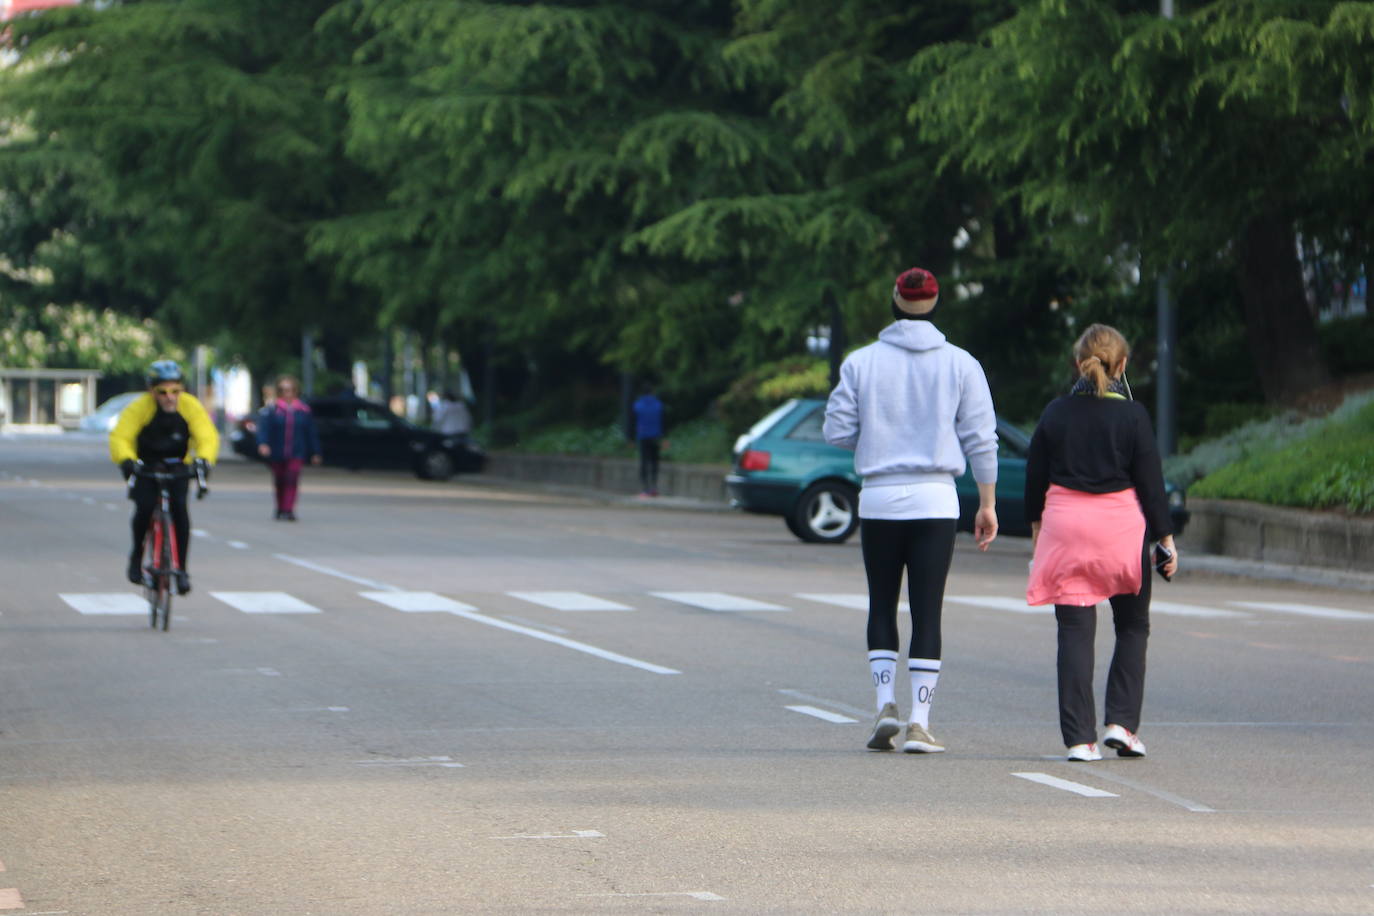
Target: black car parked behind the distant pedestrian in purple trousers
[(363, 435)]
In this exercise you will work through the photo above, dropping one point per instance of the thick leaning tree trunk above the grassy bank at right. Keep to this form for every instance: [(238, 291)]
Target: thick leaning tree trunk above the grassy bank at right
[(1279, 322)]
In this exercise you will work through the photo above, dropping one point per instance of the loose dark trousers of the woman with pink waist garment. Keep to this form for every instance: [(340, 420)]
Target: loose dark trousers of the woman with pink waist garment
[(1126, 678)]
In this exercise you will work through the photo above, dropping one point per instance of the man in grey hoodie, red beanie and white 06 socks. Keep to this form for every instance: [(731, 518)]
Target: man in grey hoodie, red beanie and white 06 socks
[(916, 410)]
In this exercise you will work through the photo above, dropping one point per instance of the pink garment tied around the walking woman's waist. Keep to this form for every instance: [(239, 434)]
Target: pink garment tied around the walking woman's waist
[(1089, 550)]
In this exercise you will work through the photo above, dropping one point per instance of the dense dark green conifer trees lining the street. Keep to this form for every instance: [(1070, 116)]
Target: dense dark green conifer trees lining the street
[(574, 193)]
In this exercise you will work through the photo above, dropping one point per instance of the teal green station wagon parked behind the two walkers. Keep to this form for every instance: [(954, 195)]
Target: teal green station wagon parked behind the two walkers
[(784, 466)]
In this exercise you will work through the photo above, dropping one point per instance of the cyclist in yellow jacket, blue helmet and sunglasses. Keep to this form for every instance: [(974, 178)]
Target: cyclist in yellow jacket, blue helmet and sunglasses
[(167, 425)]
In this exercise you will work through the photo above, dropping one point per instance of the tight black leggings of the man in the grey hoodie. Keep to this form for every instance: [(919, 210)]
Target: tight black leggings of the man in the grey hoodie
[(921, 547)]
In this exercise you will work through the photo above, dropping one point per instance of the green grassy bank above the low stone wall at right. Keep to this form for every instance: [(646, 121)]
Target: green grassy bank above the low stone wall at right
[(1333, 468)]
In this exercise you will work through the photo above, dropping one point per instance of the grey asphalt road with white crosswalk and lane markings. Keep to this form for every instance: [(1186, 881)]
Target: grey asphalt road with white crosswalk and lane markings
[(460, 698)]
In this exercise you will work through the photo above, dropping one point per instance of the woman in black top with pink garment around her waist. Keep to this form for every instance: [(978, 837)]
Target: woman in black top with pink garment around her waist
[(1096, 503)]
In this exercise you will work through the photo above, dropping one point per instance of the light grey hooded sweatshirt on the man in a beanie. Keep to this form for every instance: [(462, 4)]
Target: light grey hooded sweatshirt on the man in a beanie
[(913, 407)]
